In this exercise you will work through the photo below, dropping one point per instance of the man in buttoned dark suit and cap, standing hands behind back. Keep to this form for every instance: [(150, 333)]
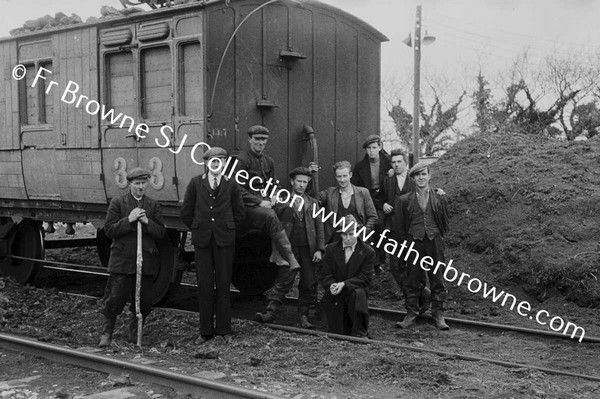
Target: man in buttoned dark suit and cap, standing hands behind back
[(213, 209)]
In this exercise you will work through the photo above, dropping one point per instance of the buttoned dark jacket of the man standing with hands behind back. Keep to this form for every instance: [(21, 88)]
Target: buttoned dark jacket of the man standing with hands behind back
[(207, 215)]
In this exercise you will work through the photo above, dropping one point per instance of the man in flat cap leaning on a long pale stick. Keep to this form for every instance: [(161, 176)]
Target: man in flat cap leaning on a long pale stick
[(121, 225)]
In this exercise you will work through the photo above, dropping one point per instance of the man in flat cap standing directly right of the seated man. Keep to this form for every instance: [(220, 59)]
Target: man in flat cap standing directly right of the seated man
[(306, 234)]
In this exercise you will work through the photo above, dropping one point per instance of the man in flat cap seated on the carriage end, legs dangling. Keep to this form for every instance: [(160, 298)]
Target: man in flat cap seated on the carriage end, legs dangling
[(259, 212)]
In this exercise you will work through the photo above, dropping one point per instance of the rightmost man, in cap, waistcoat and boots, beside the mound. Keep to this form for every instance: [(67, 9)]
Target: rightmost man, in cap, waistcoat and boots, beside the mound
[(421, 217)]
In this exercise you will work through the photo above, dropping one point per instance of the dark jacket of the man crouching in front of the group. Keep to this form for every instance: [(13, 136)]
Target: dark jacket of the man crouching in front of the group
[(356, 275)]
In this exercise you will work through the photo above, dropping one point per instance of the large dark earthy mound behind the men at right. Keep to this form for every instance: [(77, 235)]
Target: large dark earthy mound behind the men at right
[(525, 212)]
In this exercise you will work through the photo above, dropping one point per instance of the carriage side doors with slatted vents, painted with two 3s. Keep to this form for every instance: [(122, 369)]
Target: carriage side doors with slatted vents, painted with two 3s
[(137, 81)]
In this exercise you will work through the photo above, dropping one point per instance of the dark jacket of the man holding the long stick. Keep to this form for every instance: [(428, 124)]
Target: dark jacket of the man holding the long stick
[(123, 250)]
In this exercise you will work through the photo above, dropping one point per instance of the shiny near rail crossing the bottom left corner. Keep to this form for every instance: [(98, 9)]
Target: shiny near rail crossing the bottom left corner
[(181, 382)]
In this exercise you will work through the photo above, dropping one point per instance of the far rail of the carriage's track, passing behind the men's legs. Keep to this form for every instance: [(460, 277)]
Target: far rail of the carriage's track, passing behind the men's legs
[(376, 310)]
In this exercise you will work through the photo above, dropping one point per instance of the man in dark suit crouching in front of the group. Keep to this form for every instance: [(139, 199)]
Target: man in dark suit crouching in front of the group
[(346, 278)]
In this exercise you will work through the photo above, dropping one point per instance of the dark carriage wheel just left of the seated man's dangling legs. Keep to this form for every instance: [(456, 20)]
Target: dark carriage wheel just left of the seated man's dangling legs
[(253, 274)]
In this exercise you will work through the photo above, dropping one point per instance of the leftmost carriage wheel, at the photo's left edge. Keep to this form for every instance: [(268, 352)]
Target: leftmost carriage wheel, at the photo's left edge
[(27, 240)]
